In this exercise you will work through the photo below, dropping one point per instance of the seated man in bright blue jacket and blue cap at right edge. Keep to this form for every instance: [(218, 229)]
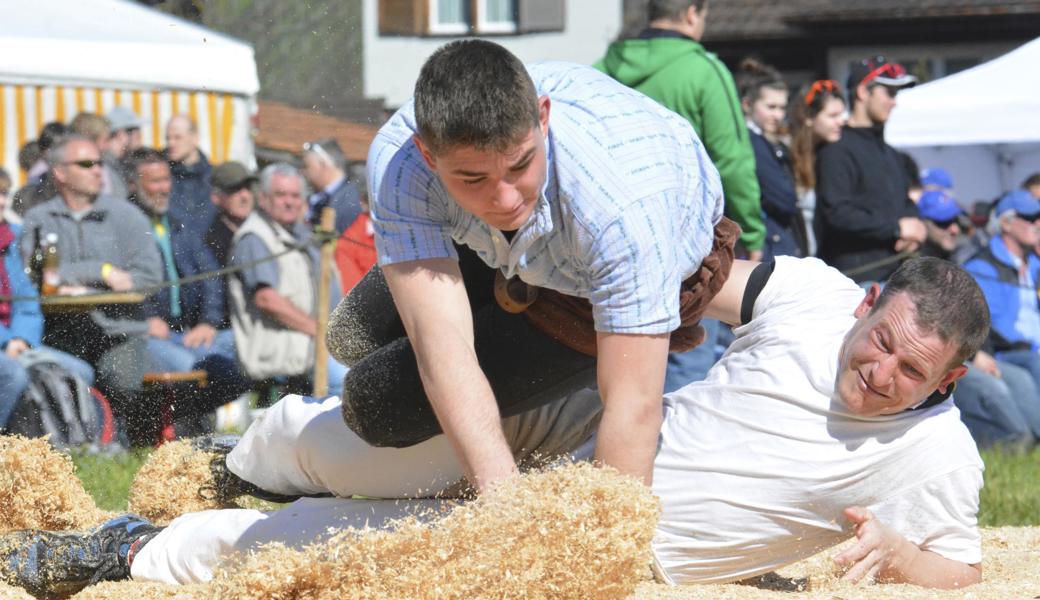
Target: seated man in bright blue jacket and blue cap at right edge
[(1008, 272)]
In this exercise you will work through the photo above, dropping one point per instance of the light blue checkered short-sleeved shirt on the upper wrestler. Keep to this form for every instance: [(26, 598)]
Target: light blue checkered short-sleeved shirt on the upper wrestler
[(628, 213)]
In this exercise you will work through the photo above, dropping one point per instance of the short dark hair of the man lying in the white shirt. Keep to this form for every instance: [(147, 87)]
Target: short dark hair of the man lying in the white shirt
[(948, 302)]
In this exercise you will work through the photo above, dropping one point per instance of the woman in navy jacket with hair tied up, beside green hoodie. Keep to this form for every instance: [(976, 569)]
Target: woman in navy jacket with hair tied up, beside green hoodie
[(764, 97)]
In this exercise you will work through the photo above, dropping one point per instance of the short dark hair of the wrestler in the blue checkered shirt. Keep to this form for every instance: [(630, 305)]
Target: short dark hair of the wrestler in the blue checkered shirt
[(476, 94)]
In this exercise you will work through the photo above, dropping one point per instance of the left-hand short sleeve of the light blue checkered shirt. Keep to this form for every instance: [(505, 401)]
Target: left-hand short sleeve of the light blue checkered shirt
[(409, 206)]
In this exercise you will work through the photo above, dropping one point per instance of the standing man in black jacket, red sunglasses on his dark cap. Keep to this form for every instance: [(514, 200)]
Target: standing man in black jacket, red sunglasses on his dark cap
[(865, 216)]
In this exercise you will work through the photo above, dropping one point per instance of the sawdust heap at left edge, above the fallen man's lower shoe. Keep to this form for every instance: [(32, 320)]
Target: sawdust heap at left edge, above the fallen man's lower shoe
[(39, 489)]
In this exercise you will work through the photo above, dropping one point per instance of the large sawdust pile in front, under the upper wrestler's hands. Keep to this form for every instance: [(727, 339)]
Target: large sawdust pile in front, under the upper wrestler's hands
[(575, 532)]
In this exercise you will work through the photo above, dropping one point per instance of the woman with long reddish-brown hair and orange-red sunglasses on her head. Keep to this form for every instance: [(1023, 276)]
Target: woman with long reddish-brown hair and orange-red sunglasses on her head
[(817, 118)]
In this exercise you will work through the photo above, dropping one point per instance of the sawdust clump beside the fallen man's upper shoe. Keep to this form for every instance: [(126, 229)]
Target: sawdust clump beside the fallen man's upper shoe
[(167, 486)]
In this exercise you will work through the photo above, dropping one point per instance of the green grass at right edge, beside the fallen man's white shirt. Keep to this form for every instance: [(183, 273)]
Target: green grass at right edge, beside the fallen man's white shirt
[(1011, 495)]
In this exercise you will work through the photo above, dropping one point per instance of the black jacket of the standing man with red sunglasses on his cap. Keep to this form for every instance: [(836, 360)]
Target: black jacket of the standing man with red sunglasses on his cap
[(862, 195)]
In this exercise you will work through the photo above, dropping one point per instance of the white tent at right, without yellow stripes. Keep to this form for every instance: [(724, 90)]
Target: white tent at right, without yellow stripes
[(983, 125)]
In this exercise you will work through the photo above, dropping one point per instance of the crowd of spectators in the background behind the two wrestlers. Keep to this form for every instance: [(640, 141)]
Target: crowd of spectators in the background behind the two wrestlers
[(229, 263)]
